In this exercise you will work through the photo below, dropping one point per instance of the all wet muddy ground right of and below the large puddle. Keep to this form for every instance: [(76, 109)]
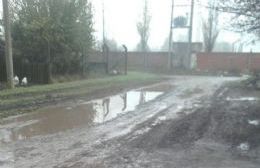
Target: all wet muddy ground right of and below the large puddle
[(173, 130)]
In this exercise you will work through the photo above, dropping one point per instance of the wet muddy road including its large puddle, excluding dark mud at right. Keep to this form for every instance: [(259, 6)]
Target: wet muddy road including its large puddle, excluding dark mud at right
[(136, 128)]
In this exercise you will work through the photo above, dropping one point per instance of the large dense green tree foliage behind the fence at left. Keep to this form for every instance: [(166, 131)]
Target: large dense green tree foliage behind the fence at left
[(59, 30)]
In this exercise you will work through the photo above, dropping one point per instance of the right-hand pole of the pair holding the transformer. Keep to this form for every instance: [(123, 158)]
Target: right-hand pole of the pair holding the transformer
[(190, 35)]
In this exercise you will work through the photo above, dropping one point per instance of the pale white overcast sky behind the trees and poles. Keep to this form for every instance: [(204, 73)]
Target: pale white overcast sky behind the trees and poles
[(122, 15)]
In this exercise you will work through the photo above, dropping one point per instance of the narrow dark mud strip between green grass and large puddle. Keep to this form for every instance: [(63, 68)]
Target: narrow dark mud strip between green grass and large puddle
[(51, 99)]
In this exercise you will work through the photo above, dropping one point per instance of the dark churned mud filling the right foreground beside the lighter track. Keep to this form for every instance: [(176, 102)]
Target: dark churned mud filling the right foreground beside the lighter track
[(218, 135)]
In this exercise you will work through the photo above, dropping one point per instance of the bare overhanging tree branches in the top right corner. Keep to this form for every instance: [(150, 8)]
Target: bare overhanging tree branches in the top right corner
[(246, 14)]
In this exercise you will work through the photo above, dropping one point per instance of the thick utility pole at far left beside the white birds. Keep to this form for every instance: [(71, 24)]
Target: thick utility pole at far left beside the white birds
[(8, 46)]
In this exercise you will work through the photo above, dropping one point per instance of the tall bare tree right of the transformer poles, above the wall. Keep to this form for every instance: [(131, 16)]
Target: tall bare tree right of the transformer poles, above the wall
[(210, 27)]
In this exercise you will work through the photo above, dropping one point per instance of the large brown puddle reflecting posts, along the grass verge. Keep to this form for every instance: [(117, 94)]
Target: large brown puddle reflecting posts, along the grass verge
[(61, 118)]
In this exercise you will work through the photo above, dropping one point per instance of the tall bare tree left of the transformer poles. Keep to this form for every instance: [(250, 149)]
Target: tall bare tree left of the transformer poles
[(143, 28)]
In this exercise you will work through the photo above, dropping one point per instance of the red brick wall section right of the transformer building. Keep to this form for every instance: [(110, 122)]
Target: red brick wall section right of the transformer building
[(228, 61)]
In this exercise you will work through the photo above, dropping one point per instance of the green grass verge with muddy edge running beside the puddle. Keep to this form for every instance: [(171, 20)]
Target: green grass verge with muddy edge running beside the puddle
[(19, 100)]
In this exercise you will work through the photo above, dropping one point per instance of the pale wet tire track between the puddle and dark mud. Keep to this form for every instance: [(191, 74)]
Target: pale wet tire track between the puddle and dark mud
[(74, 147)]
